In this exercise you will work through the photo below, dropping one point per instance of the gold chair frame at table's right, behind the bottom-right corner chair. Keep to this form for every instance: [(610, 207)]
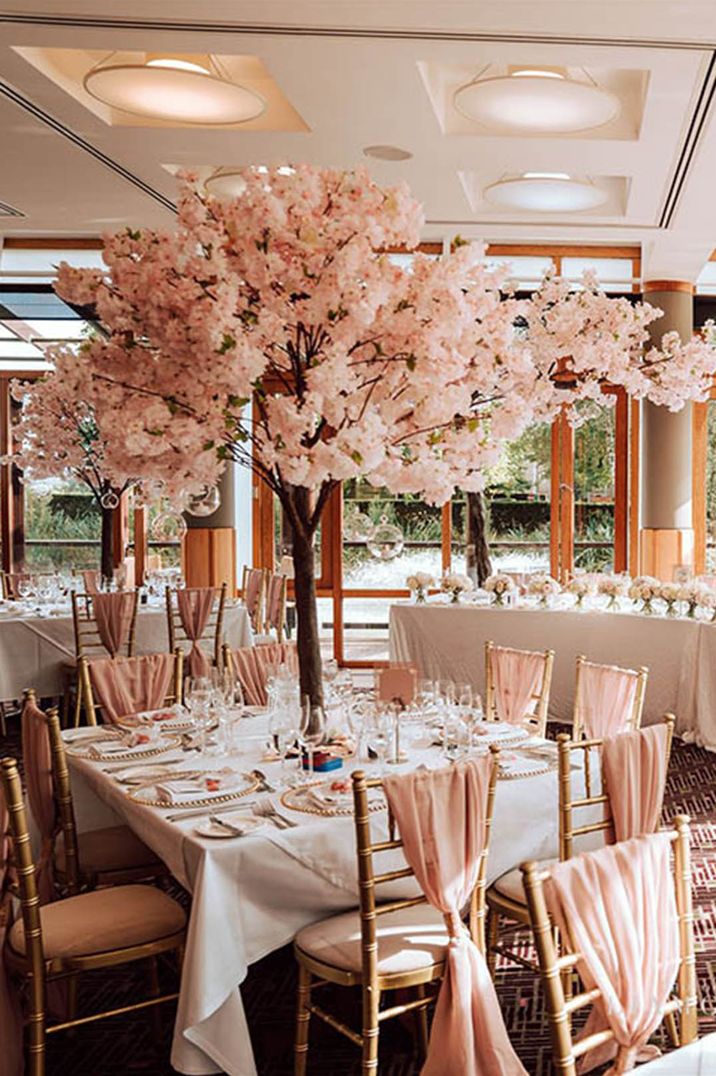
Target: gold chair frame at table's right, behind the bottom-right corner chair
[(507, 898)]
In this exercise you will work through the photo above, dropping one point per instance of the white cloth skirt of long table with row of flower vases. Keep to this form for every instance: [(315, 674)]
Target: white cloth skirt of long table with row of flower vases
[(448, 642)]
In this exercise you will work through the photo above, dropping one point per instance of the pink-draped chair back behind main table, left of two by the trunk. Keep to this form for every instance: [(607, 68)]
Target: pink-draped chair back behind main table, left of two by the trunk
[(122, 687)]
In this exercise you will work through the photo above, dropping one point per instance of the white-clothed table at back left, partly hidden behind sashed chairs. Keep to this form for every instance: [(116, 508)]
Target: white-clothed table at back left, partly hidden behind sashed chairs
[(34, 649)]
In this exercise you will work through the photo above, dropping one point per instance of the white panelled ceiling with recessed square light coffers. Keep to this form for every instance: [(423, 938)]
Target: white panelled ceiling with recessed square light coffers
[(353, 72)]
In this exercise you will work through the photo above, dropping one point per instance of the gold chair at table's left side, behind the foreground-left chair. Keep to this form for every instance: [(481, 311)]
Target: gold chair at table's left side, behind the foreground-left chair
[(113, 856)]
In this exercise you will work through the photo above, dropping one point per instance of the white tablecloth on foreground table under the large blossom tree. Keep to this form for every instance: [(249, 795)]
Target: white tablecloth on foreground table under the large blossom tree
[(251, 895)]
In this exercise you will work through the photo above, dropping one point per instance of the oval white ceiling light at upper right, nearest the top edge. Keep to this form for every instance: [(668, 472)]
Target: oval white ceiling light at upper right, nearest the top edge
[(537, 102)]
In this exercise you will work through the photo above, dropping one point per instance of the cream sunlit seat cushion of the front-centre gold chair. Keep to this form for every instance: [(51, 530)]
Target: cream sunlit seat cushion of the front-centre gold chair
[(409, 940)]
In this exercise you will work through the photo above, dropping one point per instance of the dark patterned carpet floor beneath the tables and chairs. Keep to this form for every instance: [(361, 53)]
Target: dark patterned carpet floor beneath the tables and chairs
[(139, 1044)]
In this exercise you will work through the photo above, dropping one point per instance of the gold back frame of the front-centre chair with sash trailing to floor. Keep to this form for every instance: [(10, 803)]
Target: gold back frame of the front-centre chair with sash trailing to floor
[(371, 904)]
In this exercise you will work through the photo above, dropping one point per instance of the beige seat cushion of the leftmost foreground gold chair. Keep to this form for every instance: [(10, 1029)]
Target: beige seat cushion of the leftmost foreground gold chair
[(104, 921)]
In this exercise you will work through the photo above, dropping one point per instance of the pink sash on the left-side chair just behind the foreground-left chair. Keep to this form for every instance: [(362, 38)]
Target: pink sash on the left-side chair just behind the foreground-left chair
[(37, 757)]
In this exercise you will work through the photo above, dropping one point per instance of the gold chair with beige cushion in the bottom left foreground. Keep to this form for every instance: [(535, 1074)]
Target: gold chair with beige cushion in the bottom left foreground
[(58, 942)]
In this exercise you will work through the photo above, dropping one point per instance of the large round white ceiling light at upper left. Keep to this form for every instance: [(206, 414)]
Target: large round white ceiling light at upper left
[(187, 90)]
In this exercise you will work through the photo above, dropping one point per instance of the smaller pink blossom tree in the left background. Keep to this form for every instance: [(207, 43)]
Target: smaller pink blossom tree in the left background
[(59, 434)]
